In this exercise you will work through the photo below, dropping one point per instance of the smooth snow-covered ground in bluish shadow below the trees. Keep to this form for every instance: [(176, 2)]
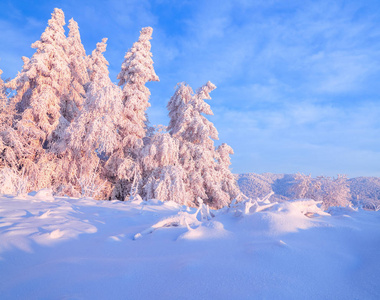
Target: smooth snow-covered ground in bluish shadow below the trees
[(64, 248)]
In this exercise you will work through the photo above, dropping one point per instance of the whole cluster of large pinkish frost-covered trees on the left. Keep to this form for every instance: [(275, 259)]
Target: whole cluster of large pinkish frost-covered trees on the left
[(65, 125)]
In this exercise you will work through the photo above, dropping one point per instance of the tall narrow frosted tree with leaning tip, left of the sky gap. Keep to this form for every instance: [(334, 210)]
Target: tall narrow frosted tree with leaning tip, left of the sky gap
[(136, 70)]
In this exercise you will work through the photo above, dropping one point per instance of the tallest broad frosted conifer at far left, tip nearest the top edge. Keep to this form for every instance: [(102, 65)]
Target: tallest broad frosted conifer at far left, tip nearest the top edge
[(42, 86)]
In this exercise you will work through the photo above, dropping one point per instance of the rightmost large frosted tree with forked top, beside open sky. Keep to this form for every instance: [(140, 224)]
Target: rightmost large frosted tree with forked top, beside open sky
[(207, 170)]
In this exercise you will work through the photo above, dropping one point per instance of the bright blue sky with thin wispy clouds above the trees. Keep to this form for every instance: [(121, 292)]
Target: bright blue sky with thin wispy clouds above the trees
[(298, 81)]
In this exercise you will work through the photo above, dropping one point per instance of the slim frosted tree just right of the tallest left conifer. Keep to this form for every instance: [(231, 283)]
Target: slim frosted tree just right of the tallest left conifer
[(78, 63)]
